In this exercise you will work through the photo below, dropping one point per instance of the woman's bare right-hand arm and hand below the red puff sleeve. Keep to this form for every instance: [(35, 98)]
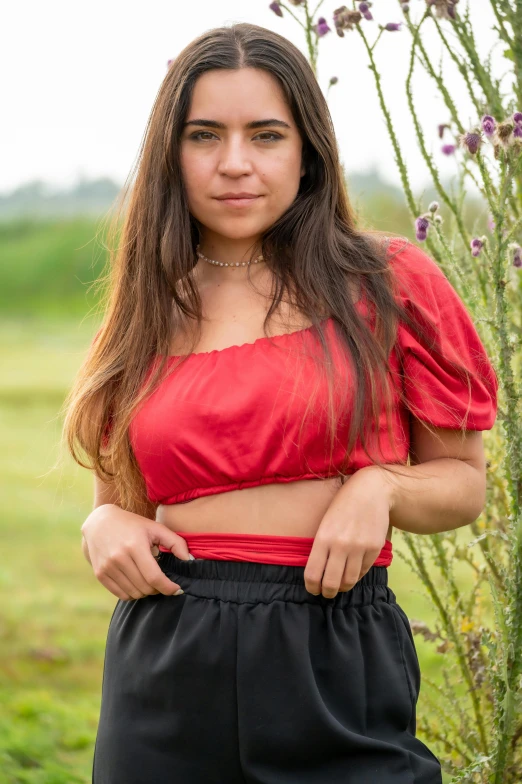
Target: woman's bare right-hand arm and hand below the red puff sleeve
[(444, 489)]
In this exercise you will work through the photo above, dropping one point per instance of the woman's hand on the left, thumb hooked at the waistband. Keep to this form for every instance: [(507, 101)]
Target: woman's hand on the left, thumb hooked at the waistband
[(120, 547)]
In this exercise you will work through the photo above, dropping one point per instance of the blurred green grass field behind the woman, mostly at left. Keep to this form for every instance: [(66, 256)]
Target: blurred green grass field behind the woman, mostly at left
[(54, 614)]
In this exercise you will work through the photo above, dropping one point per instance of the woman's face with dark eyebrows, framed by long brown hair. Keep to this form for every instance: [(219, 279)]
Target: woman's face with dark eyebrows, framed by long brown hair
[(220, 154)]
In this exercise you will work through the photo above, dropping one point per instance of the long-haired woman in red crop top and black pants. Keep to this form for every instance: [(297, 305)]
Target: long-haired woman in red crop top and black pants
[(255, 638)]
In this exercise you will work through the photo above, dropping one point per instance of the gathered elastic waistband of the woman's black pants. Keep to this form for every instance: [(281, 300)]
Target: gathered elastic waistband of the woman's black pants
[(244, 582)]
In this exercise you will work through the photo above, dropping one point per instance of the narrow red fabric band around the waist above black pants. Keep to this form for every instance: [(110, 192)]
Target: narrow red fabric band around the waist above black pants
[(260, 548)]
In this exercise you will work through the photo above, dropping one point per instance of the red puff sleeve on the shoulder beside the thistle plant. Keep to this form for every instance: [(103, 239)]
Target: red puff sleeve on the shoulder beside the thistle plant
[(436, 393)]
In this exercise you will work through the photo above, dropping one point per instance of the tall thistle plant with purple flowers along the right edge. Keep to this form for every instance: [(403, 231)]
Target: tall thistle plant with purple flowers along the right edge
[(474, 717)]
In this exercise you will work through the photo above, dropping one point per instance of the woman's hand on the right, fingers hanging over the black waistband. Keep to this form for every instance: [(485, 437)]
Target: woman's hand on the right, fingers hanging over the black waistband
[(350, 535)]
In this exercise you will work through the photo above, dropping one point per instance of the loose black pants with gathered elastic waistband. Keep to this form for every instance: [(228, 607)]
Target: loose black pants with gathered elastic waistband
[(247, 678)]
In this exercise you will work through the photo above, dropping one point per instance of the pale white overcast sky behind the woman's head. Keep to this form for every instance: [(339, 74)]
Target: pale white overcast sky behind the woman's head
[(79, 80)]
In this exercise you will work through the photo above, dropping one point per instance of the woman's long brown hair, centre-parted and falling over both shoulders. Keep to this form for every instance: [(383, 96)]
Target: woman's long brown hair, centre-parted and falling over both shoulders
[(315, 251)]
